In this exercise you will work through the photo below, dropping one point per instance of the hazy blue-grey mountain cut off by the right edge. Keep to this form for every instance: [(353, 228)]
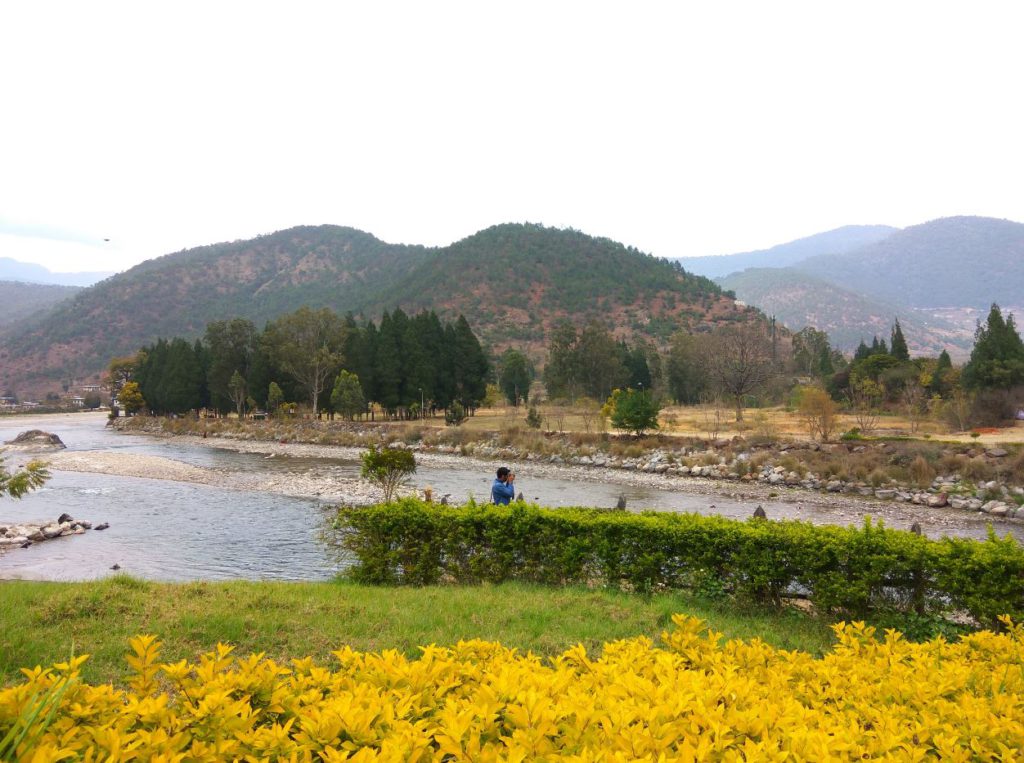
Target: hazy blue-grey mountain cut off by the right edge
[(950, 263)]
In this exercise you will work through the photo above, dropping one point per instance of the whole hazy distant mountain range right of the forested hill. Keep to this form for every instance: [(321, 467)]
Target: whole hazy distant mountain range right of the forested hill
[(937, 278)]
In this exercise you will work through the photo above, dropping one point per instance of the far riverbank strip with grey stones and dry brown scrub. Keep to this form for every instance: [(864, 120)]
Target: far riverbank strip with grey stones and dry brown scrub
[(848, 477)]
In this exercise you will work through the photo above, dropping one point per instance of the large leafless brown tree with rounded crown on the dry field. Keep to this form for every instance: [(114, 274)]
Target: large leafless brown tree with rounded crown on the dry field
[(740, 362)]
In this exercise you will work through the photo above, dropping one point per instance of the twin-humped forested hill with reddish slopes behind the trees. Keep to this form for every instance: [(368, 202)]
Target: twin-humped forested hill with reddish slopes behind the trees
[(513, 283)]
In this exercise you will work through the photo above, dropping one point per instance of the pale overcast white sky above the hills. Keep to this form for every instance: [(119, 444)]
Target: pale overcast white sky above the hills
[(131, 131)]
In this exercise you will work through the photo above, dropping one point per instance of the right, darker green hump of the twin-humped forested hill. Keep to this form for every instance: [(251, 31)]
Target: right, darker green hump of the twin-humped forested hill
[(515, 282)]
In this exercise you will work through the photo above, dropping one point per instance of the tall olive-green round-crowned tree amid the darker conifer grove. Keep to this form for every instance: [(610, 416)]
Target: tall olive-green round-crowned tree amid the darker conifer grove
[(308, 346)]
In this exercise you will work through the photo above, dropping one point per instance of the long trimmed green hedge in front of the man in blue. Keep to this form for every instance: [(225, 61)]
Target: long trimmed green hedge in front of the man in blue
[(841, 570)]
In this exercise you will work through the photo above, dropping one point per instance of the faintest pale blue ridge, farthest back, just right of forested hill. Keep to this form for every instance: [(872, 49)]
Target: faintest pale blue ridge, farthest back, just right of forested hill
[(839, 241)]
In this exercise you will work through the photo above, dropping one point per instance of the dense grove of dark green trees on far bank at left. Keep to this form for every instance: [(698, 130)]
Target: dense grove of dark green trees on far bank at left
[(337, 365)]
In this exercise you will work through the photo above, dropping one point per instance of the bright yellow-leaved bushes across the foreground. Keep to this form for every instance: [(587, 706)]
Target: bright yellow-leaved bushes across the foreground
[(693, 699)]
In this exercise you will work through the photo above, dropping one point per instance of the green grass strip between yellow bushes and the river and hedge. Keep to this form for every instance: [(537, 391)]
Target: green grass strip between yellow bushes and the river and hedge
[(44, 623)]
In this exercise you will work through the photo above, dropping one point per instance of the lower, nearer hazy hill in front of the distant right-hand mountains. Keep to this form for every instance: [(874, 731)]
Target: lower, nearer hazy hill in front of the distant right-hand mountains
[(798, 301)]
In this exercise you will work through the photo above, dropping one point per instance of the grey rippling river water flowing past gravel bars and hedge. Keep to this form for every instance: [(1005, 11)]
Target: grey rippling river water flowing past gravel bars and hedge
[(174, 531)]
